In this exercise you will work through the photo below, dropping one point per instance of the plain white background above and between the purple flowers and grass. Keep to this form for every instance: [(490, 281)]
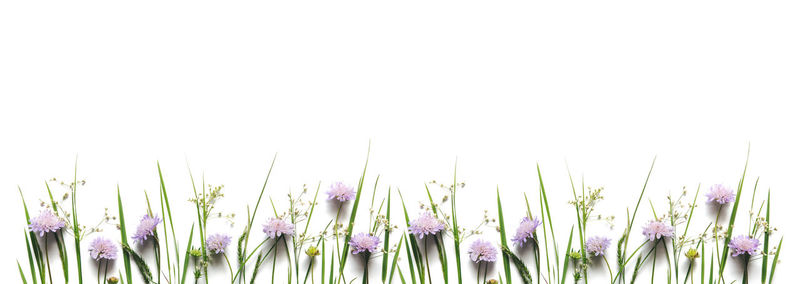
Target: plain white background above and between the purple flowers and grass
[(601, 86)]
